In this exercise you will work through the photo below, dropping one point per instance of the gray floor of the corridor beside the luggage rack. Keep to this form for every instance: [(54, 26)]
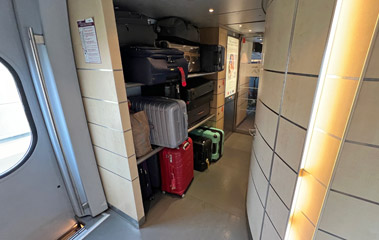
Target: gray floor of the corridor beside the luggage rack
[(213, 208)]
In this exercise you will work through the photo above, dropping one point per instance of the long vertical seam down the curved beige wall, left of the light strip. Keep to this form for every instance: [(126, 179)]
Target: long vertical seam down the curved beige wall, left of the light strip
[(281, 104)]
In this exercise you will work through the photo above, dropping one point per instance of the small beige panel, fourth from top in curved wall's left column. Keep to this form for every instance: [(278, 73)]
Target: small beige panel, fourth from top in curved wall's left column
[(263, 153)]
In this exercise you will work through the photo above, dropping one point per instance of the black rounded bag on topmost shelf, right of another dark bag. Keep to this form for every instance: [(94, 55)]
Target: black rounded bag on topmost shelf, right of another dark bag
[(178, 30)]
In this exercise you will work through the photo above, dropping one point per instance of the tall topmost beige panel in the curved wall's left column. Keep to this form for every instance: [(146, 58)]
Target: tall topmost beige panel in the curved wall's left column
[(277, 34)]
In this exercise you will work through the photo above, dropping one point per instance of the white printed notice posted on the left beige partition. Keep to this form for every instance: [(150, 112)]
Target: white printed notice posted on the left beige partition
[(88, 37)]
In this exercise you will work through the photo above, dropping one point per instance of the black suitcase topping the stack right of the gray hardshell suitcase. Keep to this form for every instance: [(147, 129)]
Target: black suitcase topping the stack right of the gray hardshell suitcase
[(196, 88)]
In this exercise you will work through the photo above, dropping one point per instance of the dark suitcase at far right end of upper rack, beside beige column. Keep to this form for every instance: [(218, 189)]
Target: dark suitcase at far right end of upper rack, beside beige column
[(212, 58)]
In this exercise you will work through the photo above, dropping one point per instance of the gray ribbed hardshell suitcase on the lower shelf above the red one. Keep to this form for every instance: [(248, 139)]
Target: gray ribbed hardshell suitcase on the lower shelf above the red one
[(167, 118)]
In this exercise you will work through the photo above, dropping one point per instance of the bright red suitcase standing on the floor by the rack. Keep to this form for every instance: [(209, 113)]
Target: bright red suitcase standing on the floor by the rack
[(177, 168)]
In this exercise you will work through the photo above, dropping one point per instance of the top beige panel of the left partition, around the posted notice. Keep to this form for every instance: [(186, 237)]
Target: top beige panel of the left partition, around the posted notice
[(103, 13)]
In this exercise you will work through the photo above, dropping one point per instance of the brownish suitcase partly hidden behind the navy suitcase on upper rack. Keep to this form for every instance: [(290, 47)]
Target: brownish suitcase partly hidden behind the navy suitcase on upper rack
[(191, 54)]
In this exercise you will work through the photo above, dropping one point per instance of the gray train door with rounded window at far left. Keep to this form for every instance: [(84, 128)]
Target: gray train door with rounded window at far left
[(34, 203)]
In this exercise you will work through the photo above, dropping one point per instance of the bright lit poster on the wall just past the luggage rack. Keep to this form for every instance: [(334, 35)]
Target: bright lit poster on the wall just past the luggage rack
[(231, 66)]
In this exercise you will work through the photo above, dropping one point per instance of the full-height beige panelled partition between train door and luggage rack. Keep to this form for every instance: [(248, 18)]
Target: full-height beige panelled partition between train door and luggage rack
[(105, 100)]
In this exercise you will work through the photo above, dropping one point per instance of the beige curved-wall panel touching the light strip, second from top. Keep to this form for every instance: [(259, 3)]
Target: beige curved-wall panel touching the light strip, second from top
[(298, 99)]
